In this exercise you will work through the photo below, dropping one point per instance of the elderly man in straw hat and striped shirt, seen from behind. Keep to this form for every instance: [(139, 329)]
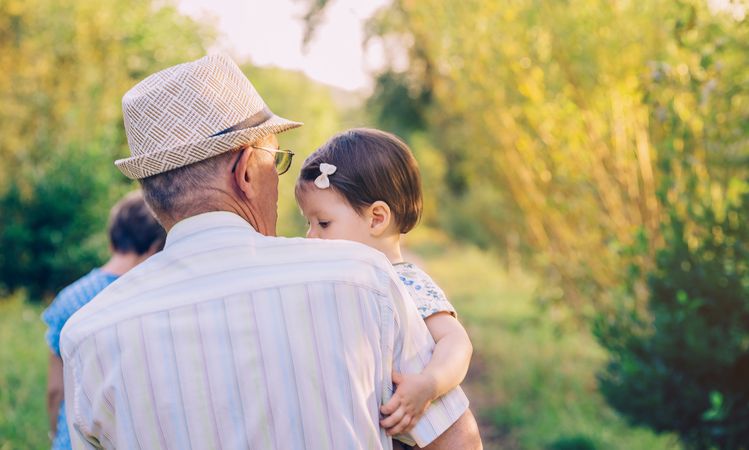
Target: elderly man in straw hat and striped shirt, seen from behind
[(231, 337)]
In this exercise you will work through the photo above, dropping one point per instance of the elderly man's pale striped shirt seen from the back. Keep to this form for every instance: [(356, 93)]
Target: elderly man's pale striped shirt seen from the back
[(231, 339)]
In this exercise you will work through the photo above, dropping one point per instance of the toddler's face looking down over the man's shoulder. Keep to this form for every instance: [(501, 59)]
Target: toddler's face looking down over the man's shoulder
[(331, 217)]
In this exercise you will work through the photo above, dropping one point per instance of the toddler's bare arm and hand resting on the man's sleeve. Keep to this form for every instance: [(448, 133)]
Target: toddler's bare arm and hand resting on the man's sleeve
[(446, 370)]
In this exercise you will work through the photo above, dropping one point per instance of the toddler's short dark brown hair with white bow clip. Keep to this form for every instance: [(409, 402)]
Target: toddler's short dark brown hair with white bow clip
[(371, 165)]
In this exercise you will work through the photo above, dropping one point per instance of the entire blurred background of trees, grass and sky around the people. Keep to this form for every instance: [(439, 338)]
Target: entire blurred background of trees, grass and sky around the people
[(585, 167)]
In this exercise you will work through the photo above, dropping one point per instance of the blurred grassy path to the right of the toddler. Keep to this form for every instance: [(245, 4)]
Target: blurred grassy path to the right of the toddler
[(532, 378)]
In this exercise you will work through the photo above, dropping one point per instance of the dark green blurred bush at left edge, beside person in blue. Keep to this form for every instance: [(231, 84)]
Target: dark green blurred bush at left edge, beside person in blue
[(51, 225)]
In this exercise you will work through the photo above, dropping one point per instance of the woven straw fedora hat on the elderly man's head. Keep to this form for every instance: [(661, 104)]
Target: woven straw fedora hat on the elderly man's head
[(191, 112)]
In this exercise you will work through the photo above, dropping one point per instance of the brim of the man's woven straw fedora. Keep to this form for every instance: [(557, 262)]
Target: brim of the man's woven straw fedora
[(154, 163)]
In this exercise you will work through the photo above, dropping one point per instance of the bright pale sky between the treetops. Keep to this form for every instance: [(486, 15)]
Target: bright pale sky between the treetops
[(271, 33)]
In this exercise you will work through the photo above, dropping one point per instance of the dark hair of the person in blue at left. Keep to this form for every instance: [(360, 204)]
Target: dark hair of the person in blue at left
[(132, 226)]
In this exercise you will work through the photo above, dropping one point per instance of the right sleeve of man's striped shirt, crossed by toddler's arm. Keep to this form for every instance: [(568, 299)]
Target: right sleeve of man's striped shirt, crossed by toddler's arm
[(412, 350)]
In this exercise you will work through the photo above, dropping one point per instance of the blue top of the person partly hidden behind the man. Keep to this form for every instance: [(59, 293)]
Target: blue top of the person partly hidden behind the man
[(67, 302)]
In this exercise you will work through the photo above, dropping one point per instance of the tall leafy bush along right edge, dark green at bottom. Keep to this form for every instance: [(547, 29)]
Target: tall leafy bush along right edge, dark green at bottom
[(678, 356)]
